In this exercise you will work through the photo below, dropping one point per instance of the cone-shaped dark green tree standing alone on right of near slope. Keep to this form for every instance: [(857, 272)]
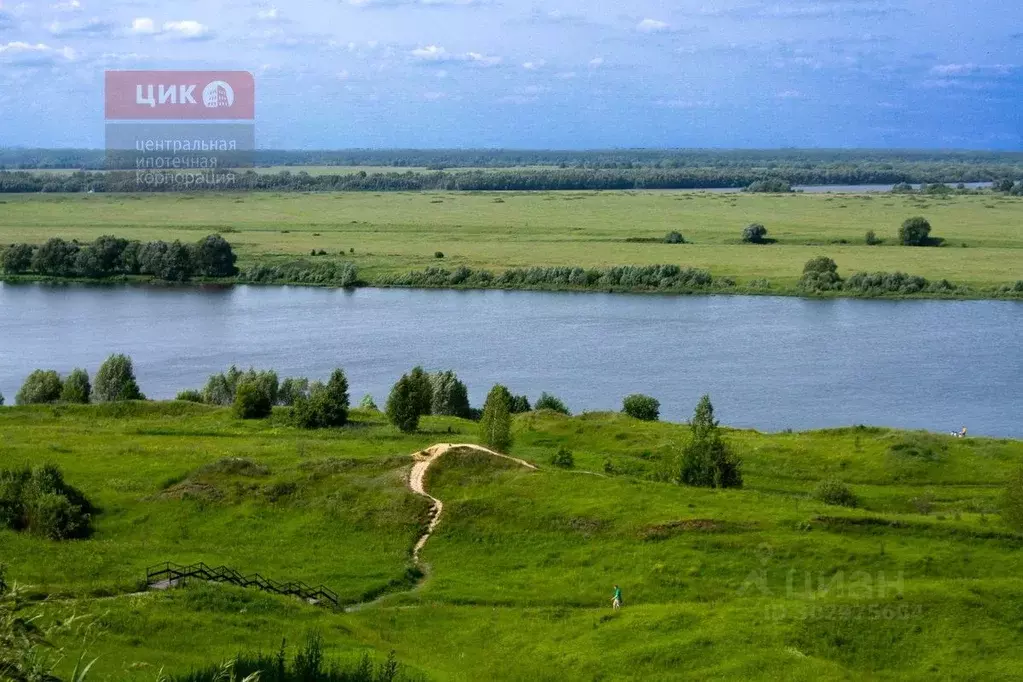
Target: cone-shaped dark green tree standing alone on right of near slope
[(705, 461)]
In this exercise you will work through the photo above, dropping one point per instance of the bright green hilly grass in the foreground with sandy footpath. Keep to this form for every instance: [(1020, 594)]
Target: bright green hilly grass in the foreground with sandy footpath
[(924, 578)]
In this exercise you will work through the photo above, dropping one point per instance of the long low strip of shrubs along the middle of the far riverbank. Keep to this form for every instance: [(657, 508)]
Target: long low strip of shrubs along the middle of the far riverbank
[(655, 278)]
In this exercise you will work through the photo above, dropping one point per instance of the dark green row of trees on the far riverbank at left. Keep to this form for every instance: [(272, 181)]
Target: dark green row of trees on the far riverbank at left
[(108, 257)]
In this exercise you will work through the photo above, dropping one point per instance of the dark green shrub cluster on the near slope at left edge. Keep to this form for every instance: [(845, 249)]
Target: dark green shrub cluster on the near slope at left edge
[(37, 501)]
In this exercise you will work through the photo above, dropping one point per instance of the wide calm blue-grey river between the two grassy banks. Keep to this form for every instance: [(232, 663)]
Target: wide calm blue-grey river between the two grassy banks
[(770, 363)]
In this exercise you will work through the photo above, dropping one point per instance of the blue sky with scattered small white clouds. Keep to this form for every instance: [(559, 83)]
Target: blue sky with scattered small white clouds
[(558, 74)]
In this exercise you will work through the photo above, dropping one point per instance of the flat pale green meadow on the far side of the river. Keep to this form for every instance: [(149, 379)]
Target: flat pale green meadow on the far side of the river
[(397, 233)]
